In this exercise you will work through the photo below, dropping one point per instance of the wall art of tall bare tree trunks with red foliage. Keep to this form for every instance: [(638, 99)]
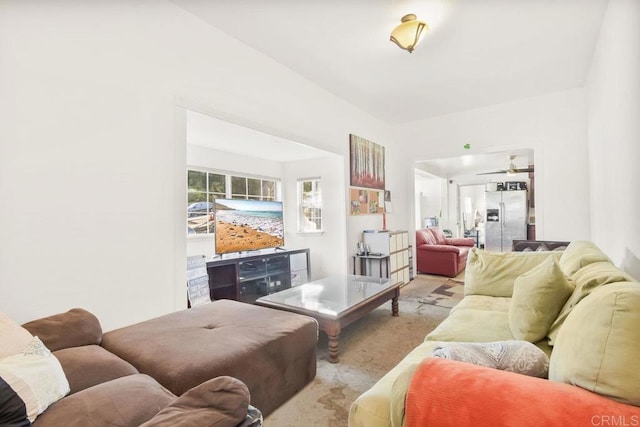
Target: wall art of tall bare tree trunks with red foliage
[(366, 163)]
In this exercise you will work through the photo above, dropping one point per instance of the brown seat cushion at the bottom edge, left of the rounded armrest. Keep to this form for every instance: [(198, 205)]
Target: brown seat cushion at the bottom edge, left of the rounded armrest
[(124, 402)]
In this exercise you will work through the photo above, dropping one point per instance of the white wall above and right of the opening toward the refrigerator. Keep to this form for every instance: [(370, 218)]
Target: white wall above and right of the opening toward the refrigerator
[(553, 125)]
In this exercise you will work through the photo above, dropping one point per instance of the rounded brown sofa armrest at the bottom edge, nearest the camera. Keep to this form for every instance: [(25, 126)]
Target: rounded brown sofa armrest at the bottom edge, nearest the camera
[(219, 402)]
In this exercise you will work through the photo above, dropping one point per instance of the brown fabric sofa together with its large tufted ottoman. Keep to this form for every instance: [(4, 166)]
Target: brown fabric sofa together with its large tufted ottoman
[(179, 369)]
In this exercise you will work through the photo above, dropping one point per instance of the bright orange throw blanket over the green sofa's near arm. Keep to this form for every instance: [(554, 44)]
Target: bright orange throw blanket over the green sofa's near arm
[(450, 393)]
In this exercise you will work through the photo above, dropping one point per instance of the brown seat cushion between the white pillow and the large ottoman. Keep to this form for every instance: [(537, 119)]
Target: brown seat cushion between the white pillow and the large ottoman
[(89, 365)]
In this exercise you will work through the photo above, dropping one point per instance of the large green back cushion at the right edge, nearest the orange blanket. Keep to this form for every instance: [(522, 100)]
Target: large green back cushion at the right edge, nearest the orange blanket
[(598, 345)]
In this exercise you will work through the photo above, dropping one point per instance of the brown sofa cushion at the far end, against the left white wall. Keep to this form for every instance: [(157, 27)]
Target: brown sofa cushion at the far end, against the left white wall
[(74, 328)]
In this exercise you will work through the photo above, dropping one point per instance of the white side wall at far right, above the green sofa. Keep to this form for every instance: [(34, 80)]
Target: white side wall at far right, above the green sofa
[(613, 88)]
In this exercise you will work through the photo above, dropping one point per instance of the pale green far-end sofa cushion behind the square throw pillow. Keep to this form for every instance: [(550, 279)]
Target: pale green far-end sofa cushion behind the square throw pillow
[(493, 273)]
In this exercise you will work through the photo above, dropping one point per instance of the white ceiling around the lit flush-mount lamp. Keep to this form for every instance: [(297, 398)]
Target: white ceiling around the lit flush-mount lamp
[(476, 53)]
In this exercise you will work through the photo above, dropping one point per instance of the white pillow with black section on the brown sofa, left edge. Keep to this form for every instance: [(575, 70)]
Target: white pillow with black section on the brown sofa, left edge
[(33, 376)]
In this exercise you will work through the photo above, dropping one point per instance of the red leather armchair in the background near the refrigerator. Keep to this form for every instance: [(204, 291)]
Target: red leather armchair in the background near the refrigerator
[(437, 254)]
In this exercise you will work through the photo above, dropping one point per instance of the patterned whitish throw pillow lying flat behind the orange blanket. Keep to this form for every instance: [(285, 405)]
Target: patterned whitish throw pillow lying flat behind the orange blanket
[(520, 357)]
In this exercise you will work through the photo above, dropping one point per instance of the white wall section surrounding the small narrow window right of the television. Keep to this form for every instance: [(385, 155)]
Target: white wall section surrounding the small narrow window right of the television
[(327, 250)]
